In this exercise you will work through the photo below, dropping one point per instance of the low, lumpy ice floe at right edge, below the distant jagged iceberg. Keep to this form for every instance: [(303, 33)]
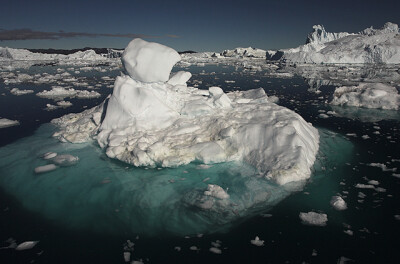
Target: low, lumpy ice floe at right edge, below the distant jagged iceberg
[(368, 95)]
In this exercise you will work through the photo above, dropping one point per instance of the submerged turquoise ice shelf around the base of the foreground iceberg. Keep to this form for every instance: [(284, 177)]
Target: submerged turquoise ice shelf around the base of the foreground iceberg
[(112, 197)]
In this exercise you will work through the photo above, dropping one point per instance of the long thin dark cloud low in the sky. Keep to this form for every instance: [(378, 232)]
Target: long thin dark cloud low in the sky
[(27, 34)]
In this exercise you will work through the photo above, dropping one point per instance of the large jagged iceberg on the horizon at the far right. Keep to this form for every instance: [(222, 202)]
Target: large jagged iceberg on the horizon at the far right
[(368, 46)]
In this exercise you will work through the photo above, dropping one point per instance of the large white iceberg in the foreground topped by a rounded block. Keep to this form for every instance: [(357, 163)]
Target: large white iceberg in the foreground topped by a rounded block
[(154, 119)]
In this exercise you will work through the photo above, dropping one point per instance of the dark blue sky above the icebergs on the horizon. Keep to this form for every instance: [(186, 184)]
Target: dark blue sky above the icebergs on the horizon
[(202, 25)]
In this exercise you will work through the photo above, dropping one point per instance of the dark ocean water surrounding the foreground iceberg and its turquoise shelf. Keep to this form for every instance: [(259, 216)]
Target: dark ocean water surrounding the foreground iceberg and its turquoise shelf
[(345, 158)]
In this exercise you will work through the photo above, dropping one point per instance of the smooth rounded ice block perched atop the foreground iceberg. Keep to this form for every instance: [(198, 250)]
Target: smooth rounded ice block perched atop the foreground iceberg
[(148, 61)]
